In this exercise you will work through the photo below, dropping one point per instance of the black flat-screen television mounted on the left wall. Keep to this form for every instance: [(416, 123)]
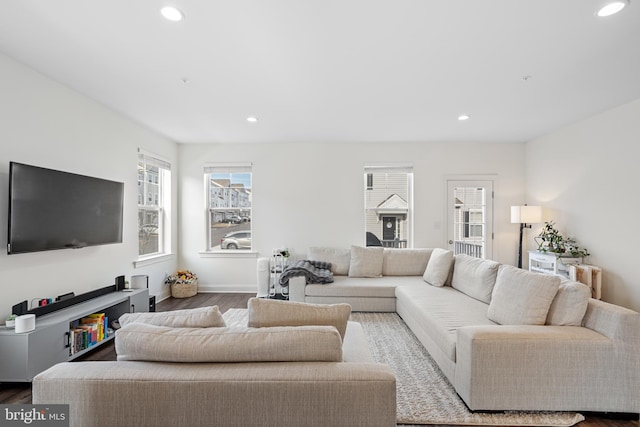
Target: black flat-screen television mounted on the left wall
[(51, 209)]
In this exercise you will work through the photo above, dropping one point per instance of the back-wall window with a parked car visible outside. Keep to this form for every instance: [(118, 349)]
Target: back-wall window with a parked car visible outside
[(229, 197)]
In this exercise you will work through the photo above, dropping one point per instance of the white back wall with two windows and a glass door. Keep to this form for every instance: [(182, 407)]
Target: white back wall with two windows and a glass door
[(312, 194)]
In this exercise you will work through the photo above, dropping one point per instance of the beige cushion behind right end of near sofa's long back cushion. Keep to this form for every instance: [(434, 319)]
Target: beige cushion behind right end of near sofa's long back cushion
[(268, 313)]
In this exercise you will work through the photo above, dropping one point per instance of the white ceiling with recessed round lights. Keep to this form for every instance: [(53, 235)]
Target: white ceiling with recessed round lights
[(336, 70)]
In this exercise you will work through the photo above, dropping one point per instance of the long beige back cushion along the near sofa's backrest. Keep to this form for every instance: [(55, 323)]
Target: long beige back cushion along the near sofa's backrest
[(140, 341)]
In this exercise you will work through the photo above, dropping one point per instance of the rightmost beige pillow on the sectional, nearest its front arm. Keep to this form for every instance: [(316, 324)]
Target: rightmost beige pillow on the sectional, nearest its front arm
[(569, 305)]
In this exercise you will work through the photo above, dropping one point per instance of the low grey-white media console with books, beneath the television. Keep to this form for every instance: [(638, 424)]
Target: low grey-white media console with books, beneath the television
[(24, 355)]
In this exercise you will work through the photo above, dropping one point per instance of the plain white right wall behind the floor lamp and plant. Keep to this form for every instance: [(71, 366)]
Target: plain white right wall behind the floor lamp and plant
[(585, 177)]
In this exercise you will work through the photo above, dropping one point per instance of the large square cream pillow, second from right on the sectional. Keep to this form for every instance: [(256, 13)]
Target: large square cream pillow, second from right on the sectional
[(521, 297)]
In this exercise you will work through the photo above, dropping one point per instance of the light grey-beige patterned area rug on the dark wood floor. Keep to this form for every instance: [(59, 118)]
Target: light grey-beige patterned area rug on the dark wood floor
[(424, 395)]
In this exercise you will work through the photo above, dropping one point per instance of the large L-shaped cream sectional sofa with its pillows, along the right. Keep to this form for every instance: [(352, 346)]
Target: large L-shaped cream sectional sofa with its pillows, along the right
[(506, 338)]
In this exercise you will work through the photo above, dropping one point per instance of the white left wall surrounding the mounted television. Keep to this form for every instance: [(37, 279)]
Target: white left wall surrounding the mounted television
[(47, 124)]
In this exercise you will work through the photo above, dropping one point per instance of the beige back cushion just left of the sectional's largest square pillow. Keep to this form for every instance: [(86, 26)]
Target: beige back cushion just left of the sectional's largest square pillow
[(474, 276)]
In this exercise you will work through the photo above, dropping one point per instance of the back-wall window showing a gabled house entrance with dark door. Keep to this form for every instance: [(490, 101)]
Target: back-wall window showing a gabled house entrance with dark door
[(388, 205)]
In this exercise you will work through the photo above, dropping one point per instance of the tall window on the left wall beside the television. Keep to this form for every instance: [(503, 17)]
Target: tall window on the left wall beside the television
[(154, 201)]
